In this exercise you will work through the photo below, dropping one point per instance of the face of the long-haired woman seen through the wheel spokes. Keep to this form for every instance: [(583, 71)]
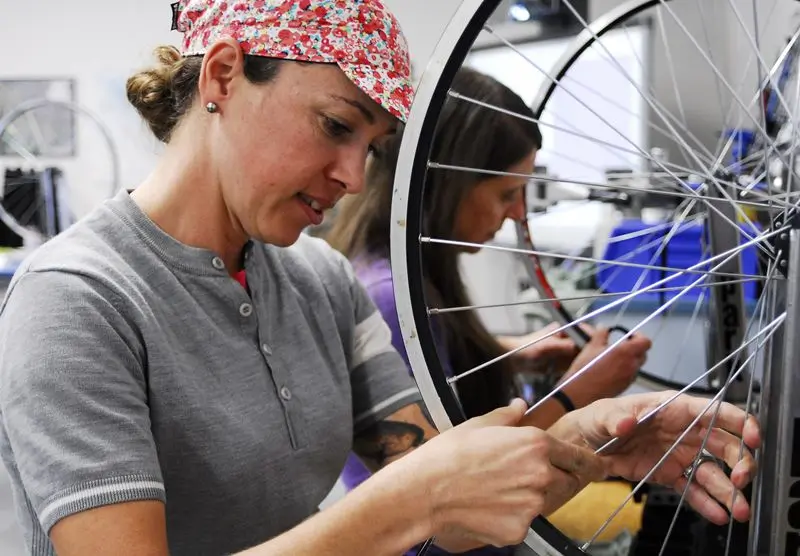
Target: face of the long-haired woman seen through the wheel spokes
[(482, 211)]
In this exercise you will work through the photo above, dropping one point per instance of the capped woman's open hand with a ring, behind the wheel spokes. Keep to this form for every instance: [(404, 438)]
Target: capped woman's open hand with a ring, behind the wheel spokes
[(641, 447)]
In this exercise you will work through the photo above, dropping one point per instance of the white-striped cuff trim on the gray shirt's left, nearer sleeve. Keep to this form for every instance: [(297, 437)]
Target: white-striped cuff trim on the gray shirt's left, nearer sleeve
[(127, 488)]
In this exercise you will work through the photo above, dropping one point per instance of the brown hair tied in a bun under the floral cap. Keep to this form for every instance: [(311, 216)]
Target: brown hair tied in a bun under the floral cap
[(164, 93)]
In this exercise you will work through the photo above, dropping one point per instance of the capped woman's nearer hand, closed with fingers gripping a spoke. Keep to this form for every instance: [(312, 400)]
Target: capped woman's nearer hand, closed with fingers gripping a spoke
[(485, 480)]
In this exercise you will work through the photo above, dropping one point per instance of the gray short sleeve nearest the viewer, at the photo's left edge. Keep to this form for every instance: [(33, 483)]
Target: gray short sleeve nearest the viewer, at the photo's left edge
[(73, 397)]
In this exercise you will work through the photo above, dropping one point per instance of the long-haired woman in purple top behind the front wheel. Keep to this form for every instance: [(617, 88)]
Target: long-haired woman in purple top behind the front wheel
[(471, 208)]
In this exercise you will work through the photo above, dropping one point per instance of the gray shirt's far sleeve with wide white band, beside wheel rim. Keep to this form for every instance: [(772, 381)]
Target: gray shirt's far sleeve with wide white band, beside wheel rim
[(379, 377)]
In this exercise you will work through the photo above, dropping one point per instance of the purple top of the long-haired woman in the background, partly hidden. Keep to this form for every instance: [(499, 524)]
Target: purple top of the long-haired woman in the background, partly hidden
[(376, 276)]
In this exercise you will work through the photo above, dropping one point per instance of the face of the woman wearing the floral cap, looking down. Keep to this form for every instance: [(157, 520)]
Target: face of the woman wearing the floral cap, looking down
[(288, 150)]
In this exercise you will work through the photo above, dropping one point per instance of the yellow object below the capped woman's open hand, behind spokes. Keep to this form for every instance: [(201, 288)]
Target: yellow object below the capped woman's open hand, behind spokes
[(582, 516)]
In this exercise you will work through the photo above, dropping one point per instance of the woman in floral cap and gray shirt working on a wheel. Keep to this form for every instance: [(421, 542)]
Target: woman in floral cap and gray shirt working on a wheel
[(184, 343)]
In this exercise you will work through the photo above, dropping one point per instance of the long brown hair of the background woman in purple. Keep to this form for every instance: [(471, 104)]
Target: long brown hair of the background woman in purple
[(467, 135)]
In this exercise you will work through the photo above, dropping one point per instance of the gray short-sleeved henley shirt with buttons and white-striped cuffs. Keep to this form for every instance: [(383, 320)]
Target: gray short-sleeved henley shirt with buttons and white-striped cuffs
[(133, 367)]
